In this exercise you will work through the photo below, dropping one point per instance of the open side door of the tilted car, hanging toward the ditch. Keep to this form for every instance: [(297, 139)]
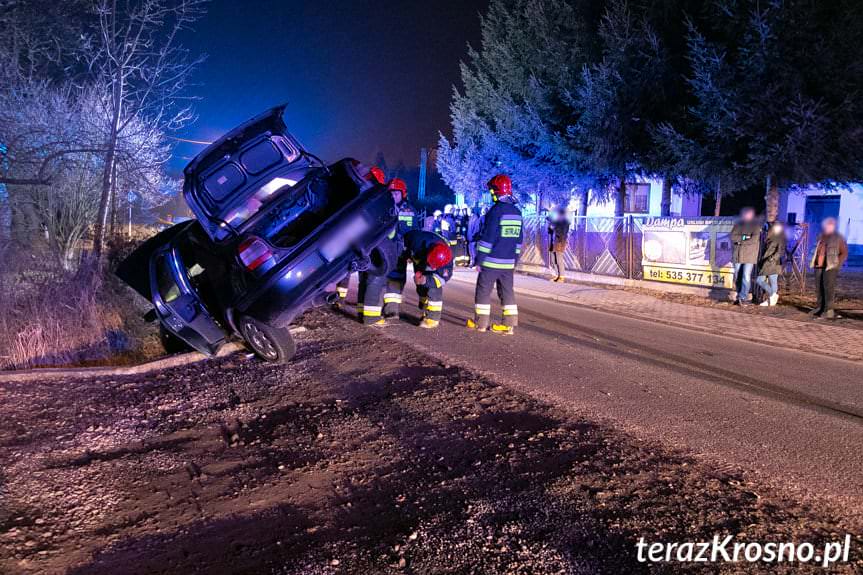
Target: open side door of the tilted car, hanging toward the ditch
[(178, 305)]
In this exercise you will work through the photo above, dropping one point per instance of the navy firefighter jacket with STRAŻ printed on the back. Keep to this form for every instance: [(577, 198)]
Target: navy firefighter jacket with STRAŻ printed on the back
[(499, 243)]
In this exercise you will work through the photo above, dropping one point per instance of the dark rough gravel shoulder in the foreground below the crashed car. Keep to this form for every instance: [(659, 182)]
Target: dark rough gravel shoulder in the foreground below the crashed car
[(363, 456)]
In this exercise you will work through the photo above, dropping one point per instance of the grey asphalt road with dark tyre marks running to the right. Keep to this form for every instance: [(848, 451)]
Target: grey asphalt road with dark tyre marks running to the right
[(794, 419)]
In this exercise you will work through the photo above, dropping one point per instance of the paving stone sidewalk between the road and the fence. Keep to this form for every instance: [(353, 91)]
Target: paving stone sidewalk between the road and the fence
[(821, 338)]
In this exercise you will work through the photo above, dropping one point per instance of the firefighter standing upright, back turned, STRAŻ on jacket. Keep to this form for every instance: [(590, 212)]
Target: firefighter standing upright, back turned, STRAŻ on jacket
[(498, 248)]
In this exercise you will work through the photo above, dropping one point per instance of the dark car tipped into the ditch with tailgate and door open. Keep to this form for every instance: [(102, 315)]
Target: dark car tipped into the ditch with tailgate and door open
[(275, 229)]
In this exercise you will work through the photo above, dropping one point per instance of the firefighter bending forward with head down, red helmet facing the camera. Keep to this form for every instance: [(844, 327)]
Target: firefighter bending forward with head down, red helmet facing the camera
[(432, 262)]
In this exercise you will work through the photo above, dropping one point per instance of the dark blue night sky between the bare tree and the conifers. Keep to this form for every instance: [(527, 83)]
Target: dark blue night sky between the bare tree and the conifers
[(358, 77)]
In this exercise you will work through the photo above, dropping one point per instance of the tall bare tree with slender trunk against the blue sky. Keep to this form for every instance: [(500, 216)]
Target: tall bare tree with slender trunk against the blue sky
[(136, 59)]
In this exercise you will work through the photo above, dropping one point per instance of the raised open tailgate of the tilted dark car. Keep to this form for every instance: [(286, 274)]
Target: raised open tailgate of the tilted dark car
[(228, 182)]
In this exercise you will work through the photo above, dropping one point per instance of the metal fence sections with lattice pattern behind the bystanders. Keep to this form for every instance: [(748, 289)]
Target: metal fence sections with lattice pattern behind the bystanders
[(611, 246)]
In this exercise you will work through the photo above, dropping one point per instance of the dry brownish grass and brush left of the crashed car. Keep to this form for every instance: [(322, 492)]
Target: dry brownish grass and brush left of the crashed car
[(50, 317)]
